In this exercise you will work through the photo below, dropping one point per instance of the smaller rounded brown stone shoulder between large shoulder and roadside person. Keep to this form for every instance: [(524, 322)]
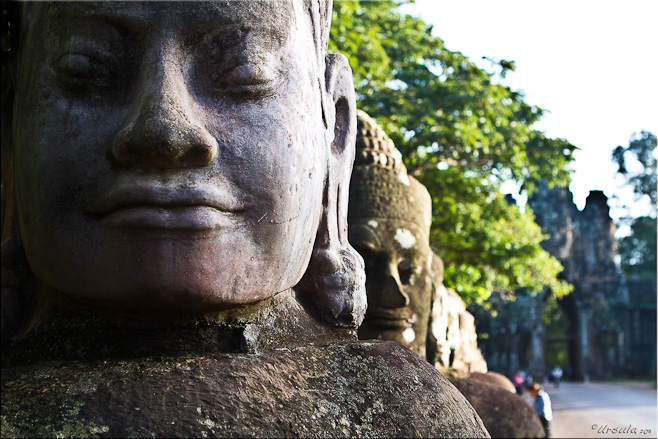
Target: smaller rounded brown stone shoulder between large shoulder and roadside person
[(505, 414)]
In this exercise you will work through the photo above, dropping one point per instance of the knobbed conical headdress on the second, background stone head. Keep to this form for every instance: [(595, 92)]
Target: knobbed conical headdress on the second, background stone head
[(380, 186)]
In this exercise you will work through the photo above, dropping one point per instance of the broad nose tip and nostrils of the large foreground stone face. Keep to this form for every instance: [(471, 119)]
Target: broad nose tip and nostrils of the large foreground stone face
[(164, 133)]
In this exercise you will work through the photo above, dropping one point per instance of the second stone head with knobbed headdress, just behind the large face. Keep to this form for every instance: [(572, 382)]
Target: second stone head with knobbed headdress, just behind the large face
[(389, 221)]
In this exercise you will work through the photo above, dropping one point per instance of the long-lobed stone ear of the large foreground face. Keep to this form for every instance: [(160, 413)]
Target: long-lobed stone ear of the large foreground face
[(334, 283)]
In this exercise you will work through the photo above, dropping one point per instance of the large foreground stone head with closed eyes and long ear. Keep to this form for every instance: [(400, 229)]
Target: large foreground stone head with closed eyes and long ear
[(163, 158)]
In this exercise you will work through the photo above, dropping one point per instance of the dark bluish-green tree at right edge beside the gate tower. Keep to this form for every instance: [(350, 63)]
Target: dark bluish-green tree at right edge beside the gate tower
[(637, 164)]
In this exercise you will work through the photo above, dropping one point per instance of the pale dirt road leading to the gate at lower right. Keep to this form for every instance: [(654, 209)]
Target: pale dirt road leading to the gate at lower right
[(596, 410)]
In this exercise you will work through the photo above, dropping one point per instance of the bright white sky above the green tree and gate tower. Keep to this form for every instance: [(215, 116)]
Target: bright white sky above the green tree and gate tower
[(593, 64)]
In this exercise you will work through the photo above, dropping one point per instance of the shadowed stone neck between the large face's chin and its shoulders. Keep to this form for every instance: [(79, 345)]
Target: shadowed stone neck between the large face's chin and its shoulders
[(79, 333)]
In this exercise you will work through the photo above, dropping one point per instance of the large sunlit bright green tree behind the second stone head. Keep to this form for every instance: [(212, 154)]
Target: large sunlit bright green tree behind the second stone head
[(462, 134)]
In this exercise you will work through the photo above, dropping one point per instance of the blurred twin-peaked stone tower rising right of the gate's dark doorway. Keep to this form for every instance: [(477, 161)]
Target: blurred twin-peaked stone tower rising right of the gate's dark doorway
[(597, 309)]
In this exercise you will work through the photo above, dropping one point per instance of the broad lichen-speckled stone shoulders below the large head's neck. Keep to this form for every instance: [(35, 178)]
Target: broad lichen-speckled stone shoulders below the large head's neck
[(345, 389)]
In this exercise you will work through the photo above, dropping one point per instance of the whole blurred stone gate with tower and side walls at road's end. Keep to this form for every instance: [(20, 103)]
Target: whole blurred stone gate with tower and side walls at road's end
[(604, 334)]
